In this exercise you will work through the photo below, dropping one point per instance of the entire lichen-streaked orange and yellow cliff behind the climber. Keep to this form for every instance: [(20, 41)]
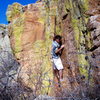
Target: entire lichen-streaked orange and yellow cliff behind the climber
[(31, 29)]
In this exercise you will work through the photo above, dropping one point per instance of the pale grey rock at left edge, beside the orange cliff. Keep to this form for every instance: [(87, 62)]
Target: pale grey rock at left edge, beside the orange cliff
[(8, 64)]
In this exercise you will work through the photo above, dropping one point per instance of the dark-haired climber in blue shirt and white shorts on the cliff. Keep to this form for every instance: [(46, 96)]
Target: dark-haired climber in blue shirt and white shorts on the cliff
[(57, 48)]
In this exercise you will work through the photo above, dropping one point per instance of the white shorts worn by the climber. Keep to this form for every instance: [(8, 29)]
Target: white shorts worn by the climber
[(57, 64)]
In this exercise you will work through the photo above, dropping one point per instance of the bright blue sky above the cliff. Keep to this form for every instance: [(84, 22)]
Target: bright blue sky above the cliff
[(4, 4)]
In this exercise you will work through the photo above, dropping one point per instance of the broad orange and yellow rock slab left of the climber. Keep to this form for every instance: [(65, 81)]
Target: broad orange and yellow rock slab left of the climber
[(31, 45)]
